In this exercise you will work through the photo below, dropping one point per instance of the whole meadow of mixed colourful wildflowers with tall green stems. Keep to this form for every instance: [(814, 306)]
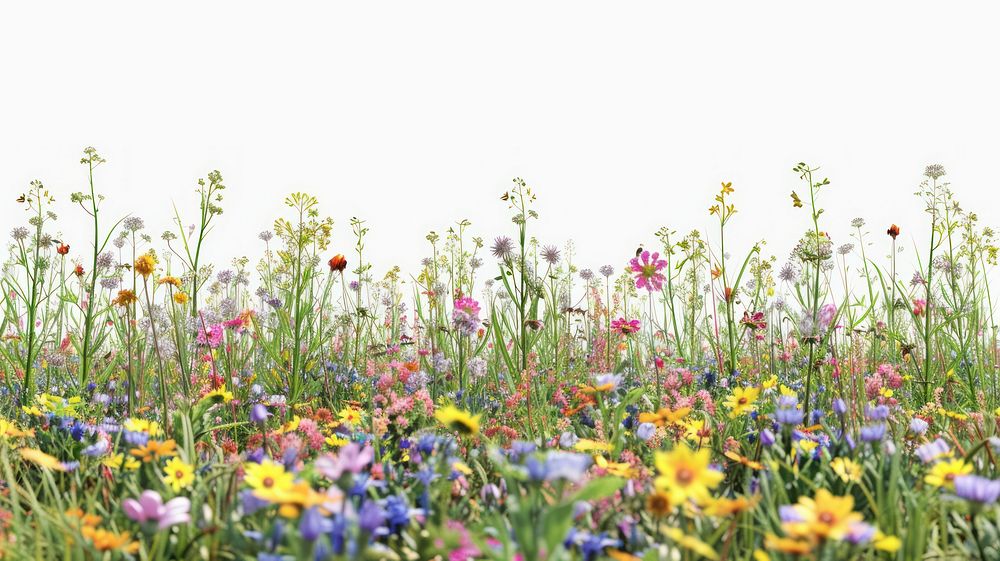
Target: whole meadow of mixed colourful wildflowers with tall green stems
[(504, 401)]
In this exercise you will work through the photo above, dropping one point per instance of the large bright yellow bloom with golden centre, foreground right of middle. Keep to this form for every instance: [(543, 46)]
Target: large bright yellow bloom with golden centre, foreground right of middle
[(685, 474)]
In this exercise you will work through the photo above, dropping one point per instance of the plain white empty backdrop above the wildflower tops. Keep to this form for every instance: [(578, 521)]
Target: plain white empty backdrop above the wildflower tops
[(624, 118)]
